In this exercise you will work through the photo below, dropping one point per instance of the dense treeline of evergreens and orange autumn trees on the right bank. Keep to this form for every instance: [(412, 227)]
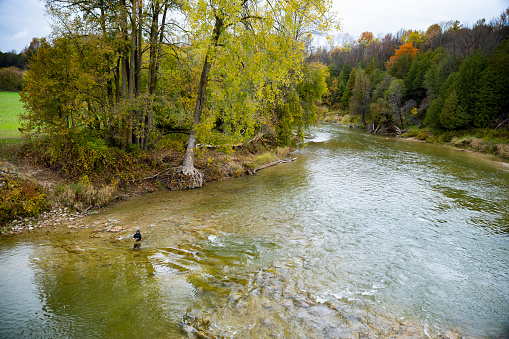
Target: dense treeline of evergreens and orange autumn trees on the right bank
[(449, 77)]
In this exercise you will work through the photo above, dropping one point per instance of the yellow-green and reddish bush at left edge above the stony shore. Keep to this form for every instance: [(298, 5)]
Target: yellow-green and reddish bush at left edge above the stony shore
[(20, 198)]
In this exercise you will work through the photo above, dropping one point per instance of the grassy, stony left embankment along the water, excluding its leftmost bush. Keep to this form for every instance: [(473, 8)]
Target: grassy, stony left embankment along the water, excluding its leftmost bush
[(68, 200)]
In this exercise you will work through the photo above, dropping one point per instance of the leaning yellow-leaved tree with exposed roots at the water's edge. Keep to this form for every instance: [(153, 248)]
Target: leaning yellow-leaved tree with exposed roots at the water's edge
[(251, 50)]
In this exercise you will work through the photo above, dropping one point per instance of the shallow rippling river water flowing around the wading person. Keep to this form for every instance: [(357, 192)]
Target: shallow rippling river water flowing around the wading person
[(362, 236)]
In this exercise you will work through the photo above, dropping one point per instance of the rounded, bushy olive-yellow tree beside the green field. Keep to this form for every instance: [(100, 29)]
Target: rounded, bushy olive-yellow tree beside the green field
[(57, 90)]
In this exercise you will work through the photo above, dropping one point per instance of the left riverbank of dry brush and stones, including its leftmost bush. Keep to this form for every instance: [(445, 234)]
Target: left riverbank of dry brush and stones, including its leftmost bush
[(68, 199)]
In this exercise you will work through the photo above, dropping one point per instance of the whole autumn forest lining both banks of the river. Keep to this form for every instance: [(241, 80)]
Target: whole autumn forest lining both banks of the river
[(122, 90)]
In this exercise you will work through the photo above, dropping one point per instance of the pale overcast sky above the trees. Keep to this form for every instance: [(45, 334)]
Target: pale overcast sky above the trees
[(21, 20)]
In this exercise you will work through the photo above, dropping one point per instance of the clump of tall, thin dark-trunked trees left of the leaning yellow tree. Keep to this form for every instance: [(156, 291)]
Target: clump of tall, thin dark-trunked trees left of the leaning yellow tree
[(115, 27)]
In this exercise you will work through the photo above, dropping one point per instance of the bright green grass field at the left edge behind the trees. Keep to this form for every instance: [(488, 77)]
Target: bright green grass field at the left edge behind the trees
[(10, 109)]
